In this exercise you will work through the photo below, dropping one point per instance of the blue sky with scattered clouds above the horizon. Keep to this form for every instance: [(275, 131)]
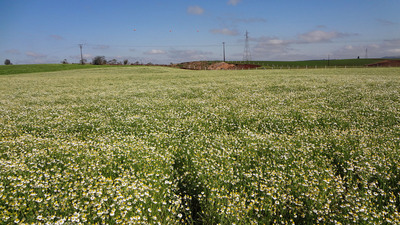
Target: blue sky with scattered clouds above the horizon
[(160, 31)]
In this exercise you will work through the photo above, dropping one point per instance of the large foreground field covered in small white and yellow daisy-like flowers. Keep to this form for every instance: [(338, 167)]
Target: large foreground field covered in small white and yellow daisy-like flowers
[(157, 145)]
